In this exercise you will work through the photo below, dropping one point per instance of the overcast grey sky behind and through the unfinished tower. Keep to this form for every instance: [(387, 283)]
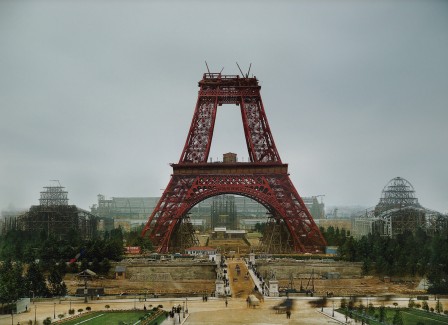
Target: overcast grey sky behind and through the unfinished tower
[(100, 94)]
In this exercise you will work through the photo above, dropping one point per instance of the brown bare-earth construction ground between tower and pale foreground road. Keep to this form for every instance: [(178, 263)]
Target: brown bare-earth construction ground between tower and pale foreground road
[(175, 278)]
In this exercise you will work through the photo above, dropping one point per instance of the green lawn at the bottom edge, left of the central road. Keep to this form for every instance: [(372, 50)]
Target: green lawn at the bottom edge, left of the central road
[(104, 317)]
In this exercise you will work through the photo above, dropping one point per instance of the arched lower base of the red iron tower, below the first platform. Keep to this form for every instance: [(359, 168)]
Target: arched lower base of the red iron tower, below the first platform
[(268, 184)]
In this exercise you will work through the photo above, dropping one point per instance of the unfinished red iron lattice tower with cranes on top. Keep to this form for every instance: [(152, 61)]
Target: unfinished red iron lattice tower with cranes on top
[(264, 179)]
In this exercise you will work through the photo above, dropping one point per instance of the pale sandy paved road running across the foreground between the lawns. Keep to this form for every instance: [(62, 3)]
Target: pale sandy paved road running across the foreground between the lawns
[(212, 312)]
